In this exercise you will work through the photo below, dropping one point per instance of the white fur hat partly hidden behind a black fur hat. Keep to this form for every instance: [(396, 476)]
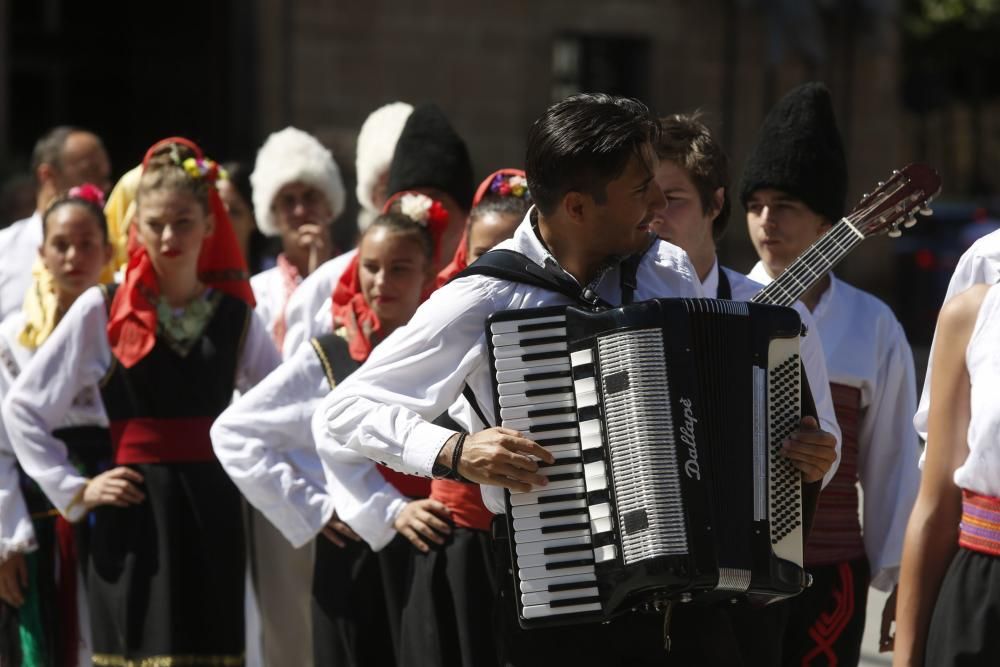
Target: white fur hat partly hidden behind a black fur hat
[(376, 144)]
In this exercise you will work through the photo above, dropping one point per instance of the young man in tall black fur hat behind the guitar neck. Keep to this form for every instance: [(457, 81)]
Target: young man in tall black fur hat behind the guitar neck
[(793, 188)]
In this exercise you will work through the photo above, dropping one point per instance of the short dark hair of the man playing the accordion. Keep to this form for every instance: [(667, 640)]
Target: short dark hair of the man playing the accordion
[(584, 142)]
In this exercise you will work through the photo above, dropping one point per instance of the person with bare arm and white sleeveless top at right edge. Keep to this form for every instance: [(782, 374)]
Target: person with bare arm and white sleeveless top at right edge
[(949, 588)]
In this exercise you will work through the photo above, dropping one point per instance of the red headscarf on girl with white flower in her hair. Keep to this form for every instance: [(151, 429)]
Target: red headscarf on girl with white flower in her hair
[(350, 309)]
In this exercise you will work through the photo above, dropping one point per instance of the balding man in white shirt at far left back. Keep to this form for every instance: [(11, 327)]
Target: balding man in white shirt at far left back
[(63, 158)]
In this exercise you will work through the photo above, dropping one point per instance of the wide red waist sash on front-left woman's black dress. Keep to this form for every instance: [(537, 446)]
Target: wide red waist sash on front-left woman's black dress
[(157, 440)]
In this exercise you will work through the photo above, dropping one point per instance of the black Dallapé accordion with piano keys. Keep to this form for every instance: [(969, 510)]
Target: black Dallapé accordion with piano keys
[(666, 419)]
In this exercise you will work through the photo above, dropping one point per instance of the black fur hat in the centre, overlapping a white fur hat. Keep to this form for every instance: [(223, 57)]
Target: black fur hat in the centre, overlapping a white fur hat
[(430, 154)]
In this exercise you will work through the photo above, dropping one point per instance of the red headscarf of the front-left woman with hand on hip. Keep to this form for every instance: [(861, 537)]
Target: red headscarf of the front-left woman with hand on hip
[(132, 321)]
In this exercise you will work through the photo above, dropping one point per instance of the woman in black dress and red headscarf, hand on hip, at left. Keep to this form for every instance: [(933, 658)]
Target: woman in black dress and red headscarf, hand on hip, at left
[(167, 348)]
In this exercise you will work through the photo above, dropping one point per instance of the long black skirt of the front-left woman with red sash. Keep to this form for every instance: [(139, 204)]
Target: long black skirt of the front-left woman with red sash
[(167, 575)]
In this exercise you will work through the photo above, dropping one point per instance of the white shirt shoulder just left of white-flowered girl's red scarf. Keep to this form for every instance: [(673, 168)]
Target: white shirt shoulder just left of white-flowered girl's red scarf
[(308, 312)]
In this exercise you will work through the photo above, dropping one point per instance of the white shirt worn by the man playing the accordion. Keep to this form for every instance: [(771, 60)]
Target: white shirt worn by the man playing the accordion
[(418, 372)]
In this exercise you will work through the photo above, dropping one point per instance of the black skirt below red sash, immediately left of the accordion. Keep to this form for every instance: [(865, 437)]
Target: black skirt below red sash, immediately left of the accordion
[(447, 621)]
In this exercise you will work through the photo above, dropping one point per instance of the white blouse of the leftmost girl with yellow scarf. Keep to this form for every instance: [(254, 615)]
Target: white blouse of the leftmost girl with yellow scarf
[(16, 531)]
